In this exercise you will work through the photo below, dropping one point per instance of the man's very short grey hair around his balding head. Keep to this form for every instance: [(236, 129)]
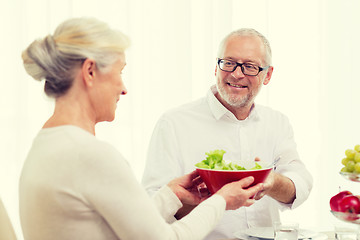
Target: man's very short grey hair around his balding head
[(248, 32)]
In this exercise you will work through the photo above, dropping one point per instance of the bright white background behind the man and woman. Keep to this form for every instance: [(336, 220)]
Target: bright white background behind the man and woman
[(171, 61)]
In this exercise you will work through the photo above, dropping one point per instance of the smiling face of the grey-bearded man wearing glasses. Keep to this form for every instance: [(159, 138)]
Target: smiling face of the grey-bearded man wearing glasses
[(237, 90)]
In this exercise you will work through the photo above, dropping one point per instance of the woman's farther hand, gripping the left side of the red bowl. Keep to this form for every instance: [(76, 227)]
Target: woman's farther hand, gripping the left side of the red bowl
[(190, 189)]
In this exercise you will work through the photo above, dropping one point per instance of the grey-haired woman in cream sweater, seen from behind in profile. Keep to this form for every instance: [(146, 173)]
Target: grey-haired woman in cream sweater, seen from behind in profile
[(74, 186)]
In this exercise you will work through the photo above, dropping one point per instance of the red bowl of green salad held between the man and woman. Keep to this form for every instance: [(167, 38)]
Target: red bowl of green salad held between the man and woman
[(215, 179)]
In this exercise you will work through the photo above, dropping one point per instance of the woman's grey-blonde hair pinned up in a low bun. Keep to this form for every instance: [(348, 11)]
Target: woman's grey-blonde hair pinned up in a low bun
[(55, 57)]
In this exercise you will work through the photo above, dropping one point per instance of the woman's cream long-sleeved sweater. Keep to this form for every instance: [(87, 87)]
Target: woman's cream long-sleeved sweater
[(74, 186)]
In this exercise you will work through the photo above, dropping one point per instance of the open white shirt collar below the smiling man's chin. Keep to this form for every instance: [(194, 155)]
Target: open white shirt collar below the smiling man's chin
[(218, 110)]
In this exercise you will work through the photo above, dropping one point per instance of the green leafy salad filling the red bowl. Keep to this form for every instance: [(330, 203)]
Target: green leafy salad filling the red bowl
[(214, 160)]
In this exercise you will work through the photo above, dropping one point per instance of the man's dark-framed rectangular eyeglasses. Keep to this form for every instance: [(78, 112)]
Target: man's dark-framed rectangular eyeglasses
[(247, 68)]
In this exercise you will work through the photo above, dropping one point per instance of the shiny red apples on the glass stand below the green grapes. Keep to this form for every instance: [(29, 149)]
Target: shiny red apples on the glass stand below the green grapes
[(345, 202)]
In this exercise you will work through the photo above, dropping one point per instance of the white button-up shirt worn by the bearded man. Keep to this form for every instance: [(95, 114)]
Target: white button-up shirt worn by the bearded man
[(183, 135)]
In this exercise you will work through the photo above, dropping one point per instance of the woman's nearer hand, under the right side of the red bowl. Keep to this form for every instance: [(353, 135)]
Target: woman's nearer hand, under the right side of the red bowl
[(236, 194)]
